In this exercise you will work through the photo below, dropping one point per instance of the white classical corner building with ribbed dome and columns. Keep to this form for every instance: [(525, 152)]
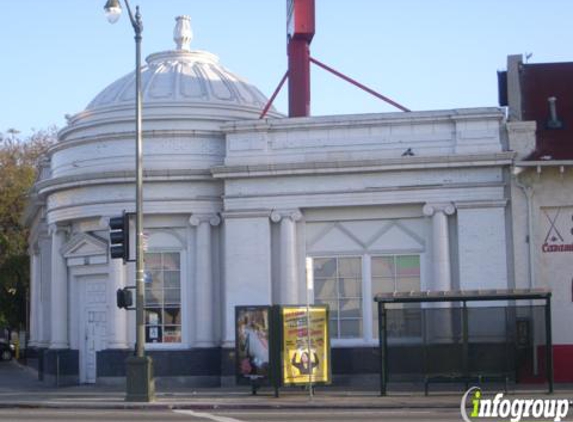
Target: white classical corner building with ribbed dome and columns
[(233, 206)]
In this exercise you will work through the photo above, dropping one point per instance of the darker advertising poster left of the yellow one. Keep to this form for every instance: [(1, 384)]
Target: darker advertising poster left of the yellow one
[(252, 342)]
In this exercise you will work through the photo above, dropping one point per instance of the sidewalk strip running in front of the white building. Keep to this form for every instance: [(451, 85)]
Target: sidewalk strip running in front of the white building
[(19, 388)]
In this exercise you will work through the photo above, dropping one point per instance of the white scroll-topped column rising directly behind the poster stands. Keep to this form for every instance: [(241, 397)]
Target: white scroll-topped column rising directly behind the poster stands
[(288, 290)]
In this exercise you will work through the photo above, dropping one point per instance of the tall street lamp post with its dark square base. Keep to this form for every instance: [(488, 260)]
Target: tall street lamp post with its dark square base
[(140, 384)]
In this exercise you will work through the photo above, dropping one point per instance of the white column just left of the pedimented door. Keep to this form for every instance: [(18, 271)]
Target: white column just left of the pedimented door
[(59, 290)]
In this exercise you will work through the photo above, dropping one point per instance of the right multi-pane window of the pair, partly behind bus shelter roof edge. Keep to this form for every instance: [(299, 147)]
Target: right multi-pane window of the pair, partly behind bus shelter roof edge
[(397, 273)]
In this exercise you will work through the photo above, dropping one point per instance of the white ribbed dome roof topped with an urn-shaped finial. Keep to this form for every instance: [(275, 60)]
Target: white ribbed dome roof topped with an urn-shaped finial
[(182, 77)]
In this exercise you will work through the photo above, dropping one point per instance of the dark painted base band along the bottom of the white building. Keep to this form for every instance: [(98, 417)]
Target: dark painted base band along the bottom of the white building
[(214, 367)]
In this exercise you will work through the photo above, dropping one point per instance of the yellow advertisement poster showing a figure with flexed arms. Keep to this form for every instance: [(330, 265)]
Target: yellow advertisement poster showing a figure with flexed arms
[(306, 355)]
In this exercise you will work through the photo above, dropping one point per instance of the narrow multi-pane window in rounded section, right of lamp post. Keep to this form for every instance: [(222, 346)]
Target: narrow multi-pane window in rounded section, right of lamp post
[(163, 297)]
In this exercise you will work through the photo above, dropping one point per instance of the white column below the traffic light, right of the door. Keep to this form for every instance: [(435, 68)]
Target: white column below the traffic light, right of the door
[(117, 338)]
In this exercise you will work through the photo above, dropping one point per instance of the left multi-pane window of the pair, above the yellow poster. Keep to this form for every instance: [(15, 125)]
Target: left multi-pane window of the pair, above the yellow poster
[(338, 284)]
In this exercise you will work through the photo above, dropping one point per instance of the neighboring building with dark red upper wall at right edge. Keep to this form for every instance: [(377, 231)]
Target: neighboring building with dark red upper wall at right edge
[(540, 128)]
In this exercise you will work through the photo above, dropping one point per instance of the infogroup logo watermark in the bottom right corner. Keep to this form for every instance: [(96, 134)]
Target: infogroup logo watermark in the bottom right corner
[(512, 410)]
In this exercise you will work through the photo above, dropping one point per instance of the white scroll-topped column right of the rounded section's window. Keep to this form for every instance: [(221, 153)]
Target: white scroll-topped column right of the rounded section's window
[(204, 291)]
